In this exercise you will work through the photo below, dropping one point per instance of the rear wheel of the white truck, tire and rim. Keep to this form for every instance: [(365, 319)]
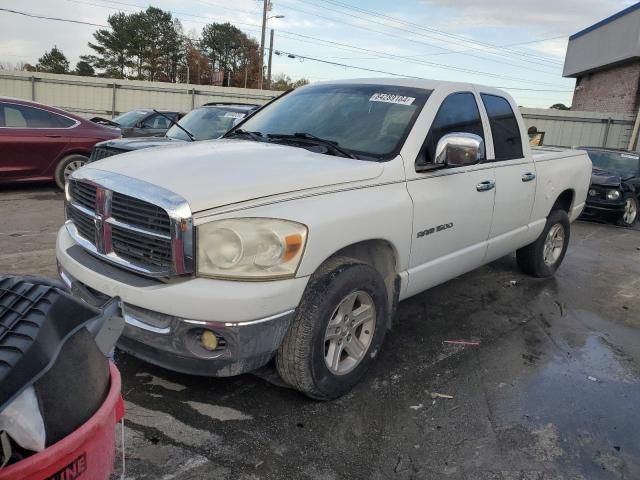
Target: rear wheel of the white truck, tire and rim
[(543, 257)]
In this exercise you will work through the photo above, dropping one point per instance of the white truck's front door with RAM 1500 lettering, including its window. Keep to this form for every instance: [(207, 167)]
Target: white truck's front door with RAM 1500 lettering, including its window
[(453, 207)]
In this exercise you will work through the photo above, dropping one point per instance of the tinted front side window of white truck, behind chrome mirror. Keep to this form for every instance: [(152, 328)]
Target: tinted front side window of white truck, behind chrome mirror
[(458, 113)]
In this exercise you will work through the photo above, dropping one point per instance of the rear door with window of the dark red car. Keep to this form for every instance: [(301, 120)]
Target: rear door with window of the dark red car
[(31, 139)]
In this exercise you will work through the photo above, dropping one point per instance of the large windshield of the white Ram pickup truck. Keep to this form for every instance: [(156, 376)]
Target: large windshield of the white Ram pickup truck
[(370, 121)]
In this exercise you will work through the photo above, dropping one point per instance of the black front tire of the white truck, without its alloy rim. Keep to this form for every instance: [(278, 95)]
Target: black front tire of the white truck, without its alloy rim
[(300, 360)]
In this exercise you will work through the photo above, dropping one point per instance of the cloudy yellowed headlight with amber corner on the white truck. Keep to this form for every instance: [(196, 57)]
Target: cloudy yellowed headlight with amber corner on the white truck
[(250, 248)]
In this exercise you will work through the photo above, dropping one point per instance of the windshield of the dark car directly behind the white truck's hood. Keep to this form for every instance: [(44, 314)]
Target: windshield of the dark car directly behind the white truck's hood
[(206, 123)]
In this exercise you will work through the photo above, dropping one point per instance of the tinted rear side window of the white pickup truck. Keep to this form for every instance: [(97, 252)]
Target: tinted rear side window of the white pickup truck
[(507, 143)]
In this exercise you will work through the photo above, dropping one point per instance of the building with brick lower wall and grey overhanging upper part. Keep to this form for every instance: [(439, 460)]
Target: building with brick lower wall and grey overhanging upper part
[(605, 61)]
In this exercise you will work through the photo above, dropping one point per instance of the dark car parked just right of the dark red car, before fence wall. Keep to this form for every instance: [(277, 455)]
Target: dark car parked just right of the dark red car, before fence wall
[(145, 122)]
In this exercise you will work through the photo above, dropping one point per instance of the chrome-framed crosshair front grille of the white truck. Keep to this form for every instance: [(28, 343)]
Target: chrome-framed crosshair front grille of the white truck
[(151, 235)]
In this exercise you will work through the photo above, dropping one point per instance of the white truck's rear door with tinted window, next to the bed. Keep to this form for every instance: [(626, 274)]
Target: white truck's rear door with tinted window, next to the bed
[(515, 178)]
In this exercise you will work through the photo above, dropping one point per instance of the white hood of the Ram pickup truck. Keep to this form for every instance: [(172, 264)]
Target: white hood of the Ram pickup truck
[(214, 173)]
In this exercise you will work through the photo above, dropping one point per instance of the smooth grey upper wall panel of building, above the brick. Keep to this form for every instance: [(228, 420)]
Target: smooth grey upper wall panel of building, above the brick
[(611, 41)]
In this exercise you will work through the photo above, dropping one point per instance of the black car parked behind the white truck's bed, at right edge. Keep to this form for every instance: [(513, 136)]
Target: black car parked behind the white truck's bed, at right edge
[(615, 185)]
